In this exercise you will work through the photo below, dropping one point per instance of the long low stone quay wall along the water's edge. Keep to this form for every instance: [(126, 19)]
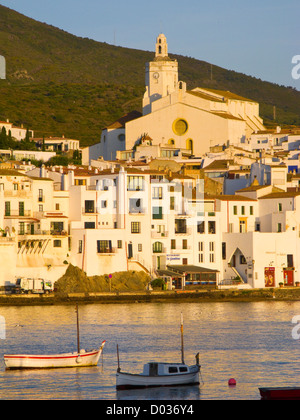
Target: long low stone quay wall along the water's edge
[(203, 295)]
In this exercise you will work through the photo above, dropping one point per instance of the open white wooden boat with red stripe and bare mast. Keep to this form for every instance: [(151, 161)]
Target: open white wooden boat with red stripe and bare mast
[(81, 358)]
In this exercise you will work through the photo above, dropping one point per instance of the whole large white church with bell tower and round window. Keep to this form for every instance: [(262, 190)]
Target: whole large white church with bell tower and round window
[(173, 116)]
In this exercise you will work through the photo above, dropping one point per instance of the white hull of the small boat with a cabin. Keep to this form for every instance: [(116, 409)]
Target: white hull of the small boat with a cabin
[(132, 381)]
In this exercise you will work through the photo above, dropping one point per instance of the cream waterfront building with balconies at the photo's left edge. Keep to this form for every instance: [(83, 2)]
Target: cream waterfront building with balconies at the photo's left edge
[(34, 227)]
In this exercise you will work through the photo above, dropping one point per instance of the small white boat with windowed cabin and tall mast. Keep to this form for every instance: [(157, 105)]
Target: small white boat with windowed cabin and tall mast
[(160, 374)]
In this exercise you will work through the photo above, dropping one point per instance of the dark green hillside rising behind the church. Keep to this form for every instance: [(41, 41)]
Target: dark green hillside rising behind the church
[(58, 83)]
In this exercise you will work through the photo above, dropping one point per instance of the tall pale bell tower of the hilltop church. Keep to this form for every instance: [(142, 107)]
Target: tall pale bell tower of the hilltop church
[(161, 75)]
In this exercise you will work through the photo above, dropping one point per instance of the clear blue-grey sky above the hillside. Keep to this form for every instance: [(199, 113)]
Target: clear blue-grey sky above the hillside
[(260, 38)]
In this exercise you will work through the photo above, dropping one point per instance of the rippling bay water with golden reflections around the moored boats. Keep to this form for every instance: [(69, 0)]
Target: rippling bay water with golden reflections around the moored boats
[(251, 342)]
